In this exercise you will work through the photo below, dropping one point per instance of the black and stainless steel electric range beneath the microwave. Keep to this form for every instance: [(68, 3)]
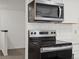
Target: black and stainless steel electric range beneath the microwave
[(43, 45)]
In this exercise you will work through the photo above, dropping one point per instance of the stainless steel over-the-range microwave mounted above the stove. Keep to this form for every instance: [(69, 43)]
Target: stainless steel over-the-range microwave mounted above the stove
[(46, 10)]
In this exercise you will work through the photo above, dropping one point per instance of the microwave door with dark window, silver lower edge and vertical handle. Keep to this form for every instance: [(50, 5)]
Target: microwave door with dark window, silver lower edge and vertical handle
[(49, 12)]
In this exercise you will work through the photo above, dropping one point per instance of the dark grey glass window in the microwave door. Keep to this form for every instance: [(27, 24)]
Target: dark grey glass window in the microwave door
[(47, 11)]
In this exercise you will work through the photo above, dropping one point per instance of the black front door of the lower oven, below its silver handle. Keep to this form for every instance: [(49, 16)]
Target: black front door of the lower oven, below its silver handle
[(57, 54)]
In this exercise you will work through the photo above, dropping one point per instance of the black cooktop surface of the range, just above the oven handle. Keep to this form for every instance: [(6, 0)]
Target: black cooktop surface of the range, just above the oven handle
[(52, 43)]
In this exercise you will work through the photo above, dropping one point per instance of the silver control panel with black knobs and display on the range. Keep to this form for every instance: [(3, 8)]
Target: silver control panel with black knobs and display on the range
[(42, 33)]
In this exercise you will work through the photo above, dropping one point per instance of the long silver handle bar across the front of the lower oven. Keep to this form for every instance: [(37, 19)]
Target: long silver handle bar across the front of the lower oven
[(49, 49)]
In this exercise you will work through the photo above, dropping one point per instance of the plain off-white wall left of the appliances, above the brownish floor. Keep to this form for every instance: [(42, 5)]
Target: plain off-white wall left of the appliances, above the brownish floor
[(12, 18)]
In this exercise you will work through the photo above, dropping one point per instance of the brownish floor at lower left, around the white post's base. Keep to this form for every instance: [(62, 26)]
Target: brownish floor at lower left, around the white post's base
[(14, 54)]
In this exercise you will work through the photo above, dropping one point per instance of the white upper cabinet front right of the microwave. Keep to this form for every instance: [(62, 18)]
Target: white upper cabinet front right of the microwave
[(71, 11)]
